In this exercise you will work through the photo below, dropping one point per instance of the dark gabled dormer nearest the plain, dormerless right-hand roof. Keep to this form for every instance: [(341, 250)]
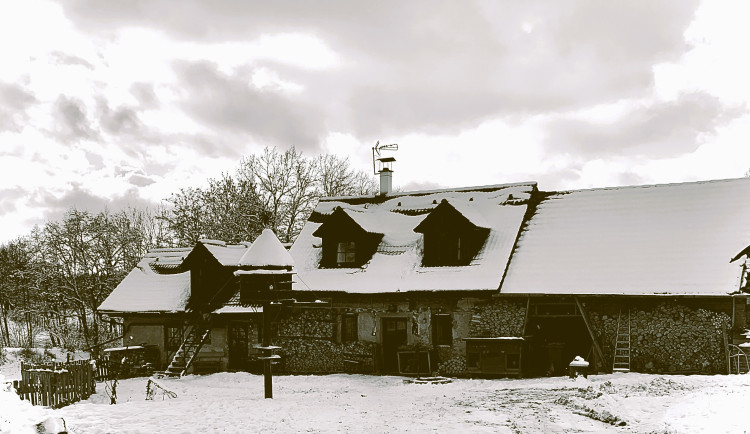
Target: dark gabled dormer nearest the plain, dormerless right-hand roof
[(451, 237)]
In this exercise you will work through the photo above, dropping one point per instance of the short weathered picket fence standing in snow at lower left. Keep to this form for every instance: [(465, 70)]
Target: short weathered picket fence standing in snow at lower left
[(56, 384)]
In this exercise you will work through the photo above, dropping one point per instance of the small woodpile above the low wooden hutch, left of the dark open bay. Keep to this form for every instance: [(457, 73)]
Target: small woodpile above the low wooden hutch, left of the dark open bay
[(498, 318)]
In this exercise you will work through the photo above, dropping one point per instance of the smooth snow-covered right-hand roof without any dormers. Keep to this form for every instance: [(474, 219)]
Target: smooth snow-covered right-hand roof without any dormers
[(654, 239)]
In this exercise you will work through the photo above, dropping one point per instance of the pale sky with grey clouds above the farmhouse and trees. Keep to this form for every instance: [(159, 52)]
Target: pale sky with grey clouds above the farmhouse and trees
[(114, 103)]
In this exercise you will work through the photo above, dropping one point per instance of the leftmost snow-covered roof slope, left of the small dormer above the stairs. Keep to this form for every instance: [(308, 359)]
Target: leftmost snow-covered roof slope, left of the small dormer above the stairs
[(146, 290)]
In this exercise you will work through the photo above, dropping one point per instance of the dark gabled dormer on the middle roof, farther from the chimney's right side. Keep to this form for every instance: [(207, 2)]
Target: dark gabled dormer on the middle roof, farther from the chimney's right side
[(350, 239)]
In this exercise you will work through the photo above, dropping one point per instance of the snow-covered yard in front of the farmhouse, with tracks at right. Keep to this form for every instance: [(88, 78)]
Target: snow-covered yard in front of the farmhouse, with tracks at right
[(233, 402)]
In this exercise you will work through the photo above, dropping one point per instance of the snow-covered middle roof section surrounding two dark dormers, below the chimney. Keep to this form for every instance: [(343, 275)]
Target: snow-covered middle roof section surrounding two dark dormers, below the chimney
[(397, 262)]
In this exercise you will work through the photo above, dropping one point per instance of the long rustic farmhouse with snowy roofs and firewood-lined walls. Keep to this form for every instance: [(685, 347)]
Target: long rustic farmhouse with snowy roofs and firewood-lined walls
[(492, 280)]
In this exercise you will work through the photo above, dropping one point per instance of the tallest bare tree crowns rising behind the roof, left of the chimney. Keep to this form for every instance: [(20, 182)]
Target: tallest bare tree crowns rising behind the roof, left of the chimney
[(274, 189)]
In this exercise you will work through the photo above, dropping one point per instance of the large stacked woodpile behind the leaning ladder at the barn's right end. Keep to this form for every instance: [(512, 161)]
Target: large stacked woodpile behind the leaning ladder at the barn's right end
[(669, 338)]
